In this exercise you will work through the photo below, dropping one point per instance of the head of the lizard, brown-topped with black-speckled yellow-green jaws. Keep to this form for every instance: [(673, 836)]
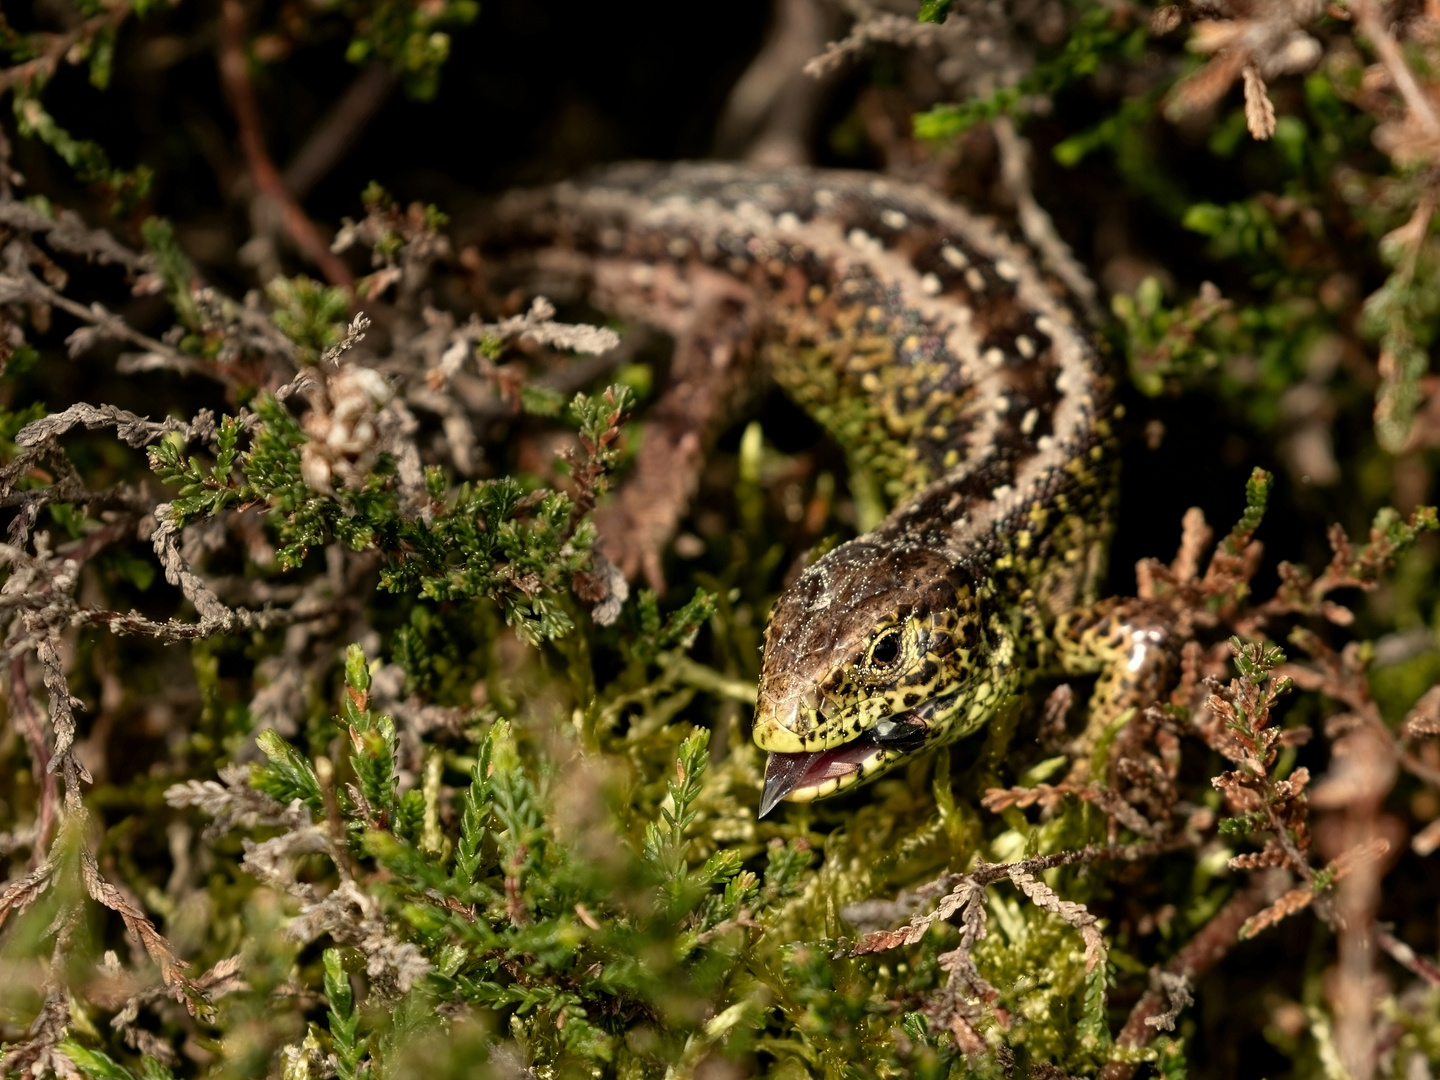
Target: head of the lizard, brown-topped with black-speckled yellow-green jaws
[(872, 656)]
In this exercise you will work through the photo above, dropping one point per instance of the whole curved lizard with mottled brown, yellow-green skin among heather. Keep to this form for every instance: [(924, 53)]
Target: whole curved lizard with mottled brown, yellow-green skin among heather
[(961, 384)]
